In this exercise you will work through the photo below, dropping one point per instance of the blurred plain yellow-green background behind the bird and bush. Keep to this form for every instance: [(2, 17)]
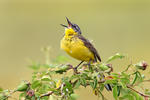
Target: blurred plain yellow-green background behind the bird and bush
[(28, 25)]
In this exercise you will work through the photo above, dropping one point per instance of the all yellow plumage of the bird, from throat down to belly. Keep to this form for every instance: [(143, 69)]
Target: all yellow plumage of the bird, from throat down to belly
[(75, 47)]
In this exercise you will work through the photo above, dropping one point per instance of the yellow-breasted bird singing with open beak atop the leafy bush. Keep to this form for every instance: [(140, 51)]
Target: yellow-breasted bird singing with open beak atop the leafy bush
[(78, 47)]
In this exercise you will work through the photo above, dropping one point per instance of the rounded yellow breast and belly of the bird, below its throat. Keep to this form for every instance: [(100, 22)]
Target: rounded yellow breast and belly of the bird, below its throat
[(77, 49)]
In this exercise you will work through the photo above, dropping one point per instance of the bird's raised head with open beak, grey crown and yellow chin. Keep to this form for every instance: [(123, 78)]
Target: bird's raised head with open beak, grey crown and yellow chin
[(71, 29)]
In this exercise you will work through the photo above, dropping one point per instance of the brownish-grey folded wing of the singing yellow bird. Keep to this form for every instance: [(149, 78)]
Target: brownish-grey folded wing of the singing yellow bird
[(88, 44)]
